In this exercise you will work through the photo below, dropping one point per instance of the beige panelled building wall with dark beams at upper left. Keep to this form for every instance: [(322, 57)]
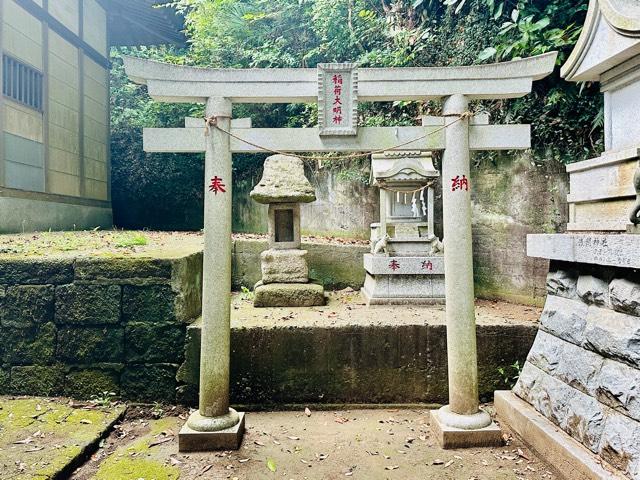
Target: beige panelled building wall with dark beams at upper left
[(56, 159)]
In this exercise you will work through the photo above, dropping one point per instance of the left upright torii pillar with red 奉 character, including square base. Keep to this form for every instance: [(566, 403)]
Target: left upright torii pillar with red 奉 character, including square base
[(215, 426)]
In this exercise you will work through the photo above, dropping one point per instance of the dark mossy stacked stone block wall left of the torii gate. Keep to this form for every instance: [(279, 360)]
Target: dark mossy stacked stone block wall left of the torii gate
[(83, 326)]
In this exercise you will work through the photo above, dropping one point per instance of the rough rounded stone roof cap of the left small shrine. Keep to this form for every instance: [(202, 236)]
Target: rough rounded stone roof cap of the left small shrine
[(283, 181)]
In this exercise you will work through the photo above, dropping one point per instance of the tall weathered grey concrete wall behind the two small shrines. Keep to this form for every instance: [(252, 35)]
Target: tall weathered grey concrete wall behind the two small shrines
[(512, 197)]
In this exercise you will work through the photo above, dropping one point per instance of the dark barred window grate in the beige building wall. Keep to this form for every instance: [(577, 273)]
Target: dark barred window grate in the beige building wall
[(22, 83)]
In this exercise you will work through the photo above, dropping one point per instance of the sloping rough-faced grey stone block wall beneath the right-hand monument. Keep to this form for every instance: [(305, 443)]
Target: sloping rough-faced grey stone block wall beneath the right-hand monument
[(583, 371)]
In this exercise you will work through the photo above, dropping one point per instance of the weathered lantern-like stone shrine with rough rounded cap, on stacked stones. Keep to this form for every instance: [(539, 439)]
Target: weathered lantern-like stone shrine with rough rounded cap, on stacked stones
[(285, 273)]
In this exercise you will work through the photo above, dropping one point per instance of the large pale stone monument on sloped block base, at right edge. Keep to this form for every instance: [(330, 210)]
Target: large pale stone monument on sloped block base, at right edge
[(578, 396)]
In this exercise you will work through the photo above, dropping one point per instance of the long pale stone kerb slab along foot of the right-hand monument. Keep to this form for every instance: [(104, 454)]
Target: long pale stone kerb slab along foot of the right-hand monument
[(571, 458)]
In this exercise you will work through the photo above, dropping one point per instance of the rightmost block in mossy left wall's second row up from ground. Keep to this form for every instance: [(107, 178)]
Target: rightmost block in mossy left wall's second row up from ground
[(154, 342)]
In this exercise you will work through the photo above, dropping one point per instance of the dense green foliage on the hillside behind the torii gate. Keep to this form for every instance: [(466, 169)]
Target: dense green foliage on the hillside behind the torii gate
[(165, 191)]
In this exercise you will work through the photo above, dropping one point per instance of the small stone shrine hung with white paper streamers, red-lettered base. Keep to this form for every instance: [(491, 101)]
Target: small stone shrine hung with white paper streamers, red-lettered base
[(406, 263)]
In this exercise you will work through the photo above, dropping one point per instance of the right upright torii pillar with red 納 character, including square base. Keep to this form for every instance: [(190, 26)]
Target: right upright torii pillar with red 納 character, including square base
[(461, 423)]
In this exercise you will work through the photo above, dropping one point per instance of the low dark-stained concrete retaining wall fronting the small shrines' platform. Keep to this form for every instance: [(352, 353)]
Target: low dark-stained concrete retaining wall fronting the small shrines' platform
[(379, 362)]
